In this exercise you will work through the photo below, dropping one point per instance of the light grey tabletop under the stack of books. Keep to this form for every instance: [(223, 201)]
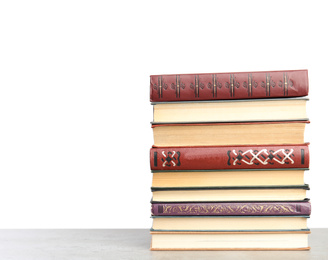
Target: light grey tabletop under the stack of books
[(71, 244)]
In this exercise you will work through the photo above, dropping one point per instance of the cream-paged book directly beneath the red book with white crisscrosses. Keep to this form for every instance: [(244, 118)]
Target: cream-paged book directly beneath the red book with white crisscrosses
[(212, 178)]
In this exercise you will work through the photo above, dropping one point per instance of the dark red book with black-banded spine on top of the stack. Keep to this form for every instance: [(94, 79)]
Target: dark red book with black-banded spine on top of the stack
[(236, 85)]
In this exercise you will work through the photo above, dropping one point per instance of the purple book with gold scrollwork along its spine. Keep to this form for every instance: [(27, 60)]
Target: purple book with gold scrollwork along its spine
[(231, 209)]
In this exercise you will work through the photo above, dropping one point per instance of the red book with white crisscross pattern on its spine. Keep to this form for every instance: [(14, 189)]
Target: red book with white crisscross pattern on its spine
[(230, 157)]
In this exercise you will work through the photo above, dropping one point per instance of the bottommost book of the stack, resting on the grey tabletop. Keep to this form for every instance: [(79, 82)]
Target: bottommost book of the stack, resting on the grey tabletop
[(247, 240)]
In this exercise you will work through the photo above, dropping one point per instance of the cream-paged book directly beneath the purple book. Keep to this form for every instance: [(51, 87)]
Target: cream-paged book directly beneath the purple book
[(229, 223)]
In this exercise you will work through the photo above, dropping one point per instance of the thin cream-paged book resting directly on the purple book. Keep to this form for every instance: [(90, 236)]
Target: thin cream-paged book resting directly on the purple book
[(243, 193)]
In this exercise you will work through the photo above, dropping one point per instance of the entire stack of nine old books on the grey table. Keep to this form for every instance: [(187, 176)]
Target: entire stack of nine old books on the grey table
[(228, 161)]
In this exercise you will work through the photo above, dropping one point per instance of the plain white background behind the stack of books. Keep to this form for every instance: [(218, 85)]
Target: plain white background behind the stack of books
[(74, 96)]
